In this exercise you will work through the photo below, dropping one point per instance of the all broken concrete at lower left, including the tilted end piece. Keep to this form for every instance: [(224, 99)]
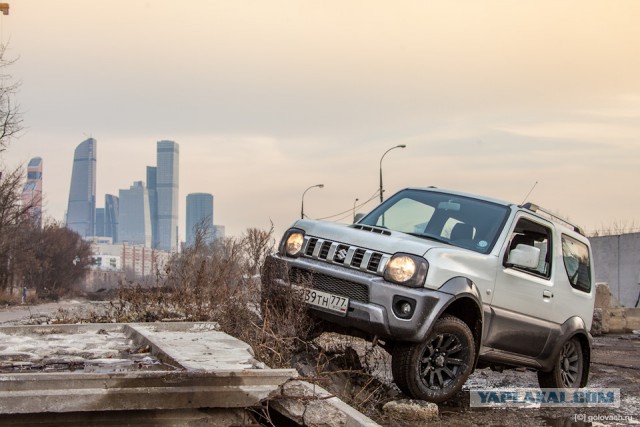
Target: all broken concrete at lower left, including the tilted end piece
[(177, 367)]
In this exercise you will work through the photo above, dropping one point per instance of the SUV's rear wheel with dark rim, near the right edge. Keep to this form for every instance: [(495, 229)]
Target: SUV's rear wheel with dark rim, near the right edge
[(567, 370)]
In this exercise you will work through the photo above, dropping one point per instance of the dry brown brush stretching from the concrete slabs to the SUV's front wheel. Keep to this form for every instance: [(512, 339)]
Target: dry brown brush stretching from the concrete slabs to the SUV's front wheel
[(219, 283)]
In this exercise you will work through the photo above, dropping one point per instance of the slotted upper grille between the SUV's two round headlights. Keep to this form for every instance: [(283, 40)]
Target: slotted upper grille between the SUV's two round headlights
[(349, 256)]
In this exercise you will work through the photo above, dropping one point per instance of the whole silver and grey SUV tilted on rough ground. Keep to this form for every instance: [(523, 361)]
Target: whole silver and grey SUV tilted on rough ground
[(448, 282)]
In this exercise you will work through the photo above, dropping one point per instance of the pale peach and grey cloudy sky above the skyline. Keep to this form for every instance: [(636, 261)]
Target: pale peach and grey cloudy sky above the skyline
[(268, 98)]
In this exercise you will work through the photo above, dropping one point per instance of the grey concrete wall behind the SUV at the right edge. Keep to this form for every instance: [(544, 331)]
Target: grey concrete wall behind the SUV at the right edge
[(616, 260)]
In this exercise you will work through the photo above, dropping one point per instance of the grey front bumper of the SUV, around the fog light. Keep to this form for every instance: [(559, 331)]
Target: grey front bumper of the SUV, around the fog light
[(371, 298)]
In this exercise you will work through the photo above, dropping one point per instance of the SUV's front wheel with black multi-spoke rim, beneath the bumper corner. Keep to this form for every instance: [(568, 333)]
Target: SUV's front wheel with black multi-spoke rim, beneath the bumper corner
[(437, 368)]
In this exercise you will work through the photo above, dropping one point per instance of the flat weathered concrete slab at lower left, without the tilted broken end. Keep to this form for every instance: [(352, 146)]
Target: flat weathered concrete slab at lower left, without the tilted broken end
[(205, 368)]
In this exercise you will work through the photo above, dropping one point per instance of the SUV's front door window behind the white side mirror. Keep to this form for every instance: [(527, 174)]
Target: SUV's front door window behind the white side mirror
[(531, 233)]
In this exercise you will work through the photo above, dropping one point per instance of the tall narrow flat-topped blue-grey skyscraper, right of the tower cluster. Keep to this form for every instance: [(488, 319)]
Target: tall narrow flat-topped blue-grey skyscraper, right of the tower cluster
[(167, 188)]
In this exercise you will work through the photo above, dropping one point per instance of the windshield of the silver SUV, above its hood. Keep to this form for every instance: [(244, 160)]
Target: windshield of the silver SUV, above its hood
[(460, 221)]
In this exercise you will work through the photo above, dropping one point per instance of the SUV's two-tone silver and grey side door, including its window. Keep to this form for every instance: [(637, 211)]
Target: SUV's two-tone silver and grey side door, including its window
[(521, 314)]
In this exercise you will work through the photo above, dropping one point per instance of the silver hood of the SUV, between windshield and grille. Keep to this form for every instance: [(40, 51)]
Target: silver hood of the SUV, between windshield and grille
[(390, 242)]
